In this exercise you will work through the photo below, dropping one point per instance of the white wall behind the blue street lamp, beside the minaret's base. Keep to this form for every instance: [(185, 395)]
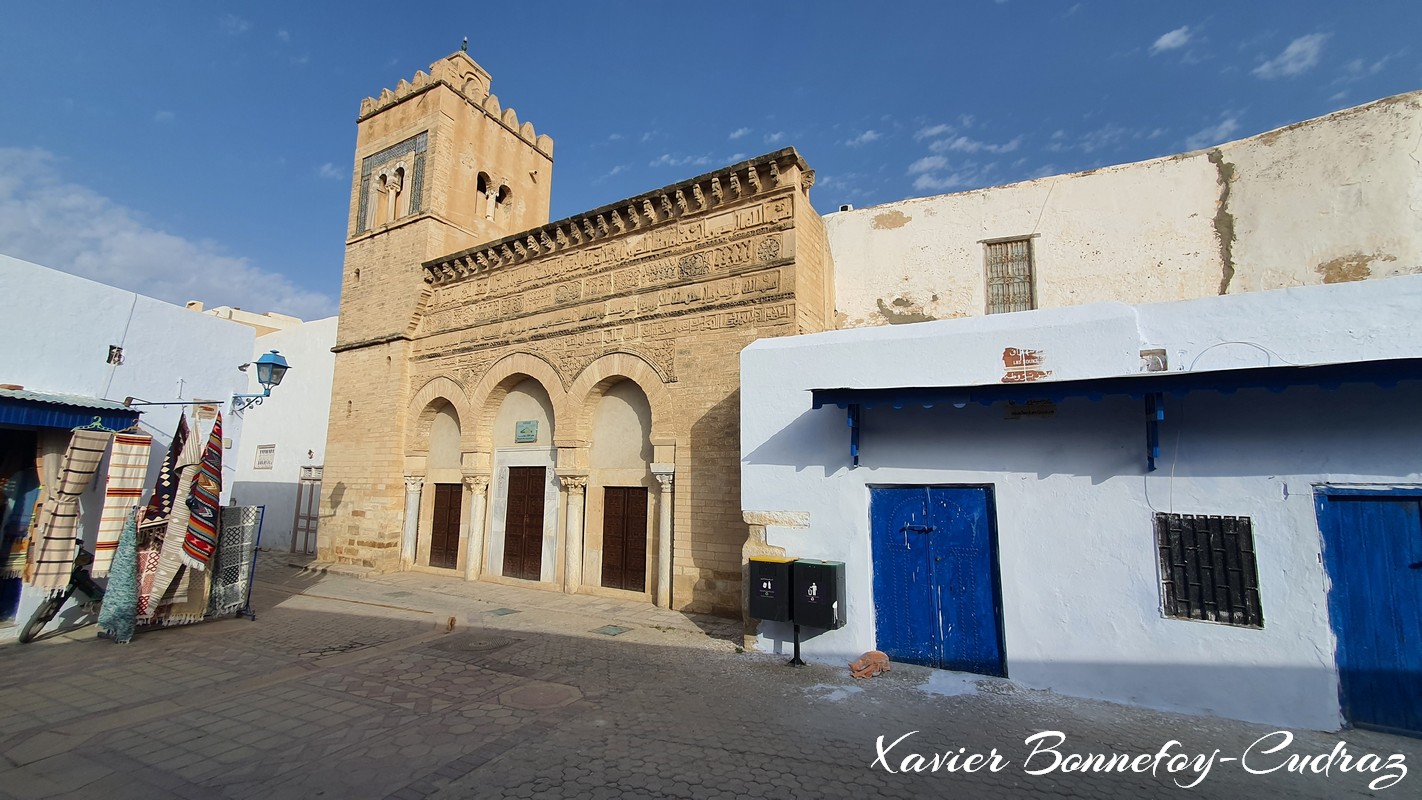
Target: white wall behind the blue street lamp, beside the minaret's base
[(294, 420)]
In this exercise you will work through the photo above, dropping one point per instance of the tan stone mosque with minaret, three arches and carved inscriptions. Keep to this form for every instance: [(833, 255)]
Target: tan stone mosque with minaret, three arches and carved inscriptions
[(551, 404)]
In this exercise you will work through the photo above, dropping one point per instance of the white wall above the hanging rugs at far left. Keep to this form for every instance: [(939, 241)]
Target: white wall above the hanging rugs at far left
[(58, 330)]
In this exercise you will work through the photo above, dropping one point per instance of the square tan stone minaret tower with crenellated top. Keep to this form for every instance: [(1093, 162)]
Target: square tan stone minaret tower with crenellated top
[(440, 167)]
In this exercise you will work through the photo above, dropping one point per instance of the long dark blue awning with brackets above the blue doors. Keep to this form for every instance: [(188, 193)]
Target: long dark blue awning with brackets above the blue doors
[(1151, 387)]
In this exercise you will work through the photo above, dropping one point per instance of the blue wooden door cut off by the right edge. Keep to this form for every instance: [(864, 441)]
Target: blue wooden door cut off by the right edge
[(1373, 552)]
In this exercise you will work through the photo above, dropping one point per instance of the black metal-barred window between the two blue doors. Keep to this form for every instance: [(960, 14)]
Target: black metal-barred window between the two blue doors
[(1208, 569)]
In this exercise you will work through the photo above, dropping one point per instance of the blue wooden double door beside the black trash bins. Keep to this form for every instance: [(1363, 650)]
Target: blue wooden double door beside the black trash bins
[(936, 586)]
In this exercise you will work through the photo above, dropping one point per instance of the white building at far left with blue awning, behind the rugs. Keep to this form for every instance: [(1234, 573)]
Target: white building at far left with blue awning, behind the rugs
[(76, 350)]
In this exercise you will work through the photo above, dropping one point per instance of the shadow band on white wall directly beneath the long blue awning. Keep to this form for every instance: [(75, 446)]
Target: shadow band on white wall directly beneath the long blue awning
[(1204, 436)]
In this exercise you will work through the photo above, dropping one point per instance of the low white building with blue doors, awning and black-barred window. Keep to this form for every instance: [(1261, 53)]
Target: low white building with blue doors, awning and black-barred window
[(1012, 528)]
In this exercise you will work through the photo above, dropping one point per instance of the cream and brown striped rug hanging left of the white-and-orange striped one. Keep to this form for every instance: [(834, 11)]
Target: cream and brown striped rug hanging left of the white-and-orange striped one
[(52, 558)]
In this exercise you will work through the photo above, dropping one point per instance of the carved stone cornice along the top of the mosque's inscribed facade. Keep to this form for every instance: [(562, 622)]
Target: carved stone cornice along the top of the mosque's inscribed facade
[(699, 197)]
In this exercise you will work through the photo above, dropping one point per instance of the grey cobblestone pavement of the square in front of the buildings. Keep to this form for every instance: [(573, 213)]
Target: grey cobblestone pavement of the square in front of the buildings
[(352, 687)]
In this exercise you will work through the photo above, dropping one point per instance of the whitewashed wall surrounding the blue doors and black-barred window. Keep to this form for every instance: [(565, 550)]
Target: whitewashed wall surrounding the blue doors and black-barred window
[(1081, 592)]
